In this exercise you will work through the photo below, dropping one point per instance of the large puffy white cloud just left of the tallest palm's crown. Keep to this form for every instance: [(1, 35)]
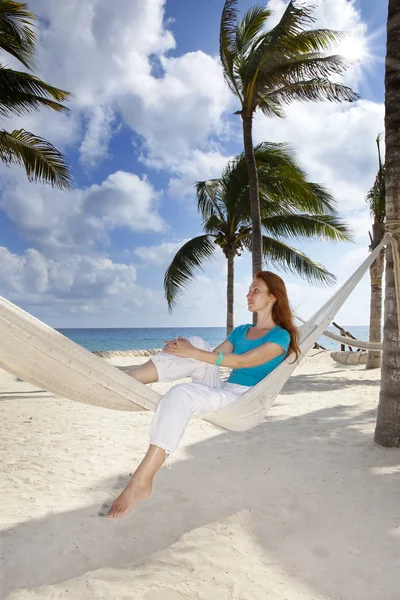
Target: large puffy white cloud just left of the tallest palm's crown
[(179, 111)]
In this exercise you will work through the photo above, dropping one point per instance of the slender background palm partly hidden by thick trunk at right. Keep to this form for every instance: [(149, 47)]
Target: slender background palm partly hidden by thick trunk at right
[(376, 201)]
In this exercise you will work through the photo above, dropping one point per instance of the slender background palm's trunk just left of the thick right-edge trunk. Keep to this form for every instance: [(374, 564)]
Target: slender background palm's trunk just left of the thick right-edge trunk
[(374, 360)]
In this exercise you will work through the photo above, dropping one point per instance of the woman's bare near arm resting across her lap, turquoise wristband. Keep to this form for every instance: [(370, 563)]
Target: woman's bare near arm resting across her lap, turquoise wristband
[(252, 358)]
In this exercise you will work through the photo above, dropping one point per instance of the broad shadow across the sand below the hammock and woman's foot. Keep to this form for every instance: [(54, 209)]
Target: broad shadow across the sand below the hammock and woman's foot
[(316, 515)]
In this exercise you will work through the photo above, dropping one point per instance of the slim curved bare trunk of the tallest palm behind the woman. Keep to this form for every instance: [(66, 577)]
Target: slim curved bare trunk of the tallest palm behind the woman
[(253, 192)]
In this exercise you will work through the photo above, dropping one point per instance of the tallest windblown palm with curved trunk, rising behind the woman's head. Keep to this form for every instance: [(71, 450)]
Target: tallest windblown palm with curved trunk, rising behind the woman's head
[(266, 70)]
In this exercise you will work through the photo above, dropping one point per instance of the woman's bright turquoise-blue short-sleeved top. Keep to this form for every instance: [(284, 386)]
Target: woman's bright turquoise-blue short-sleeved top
[(241, 344)]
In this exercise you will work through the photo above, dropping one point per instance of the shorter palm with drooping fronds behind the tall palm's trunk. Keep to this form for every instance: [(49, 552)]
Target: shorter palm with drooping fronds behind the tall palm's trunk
[(291, 207)]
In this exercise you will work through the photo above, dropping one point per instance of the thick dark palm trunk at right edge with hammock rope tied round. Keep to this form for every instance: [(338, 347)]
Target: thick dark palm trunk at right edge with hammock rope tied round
[(387, 432)]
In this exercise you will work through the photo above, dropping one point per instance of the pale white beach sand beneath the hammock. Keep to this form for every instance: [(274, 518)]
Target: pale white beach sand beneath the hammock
[(303, 507)]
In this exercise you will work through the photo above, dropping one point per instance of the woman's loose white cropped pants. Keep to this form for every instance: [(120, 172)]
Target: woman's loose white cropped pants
[(206, 394)]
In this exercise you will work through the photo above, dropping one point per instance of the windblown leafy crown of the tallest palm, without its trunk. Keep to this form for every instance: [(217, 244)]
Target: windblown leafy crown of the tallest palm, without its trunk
[(288, 63)]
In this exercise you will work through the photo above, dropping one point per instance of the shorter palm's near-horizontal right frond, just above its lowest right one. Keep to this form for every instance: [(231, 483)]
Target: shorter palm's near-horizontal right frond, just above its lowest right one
[(319, 227)]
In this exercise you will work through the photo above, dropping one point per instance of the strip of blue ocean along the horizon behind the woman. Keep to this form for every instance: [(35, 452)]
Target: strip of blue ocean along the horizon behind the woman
[(139, 338)]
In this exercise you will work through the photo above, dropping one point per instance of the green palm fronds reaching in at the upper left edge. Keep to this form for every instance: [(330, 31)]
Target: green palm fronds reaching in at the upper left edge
[(21, 93)]
